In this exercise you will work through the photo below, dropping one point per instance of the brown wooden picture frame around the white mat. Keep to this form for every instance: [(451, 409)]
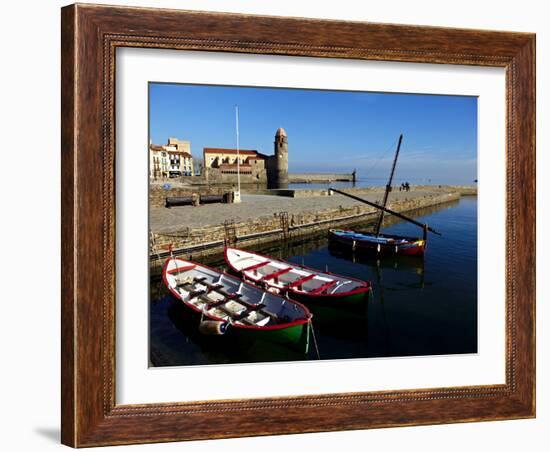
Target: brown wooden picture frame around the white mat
[(90, 36)]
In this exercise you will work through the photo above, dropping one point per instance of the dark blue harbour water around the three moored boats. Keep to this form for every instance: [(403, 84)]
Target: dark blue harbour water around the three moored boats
[(418, 307)]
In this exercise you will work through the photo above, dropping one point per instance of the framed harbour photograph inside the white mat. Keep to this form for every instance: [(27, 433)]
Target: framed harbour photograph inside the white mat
[(294, 224)]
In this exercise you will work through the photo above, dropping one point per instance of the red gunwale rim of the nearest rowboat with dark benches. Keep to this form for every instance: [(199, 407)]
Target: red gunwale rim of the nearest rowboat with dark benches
[(280, 326)]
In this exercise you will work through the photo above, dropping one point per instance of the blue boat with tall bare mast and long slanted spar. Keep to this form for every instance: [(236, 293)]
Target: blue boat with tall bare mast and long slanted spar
[(377, 243)]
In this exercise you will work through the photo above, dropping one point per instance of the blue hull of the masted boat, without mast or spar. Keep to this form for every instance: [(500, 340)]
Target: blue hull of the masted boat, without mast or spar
[(381, 244)]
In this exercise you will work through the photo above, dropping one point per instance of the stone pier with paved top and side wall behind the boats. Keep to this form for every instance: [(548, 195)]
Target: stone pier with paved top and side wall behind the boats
[(264, 218)]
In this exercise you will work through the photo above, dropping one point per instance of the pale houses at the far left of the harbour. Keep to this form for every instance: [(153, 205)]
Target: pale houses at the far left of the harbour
[(173, 159)]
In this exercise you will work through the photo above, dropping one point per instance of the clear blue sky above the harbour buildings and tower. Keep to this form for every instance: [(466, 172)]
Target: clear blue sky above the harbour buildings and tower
[(327, 130)]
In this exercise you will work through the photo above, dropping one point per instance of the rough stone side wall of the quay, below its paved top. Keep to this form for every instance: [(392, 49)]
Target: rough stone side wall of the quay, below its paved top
[(193, 241)]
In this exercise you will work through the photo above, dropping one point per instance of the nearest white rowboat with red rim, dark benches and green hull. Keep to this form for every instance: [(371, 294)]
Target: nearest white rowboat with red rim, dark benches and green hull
[(226, 304)]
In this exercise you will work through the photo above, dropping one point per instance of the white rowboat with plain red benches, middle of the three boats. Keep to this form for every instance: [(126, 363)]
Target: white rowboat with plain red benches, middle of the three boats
[(297, 282)]
